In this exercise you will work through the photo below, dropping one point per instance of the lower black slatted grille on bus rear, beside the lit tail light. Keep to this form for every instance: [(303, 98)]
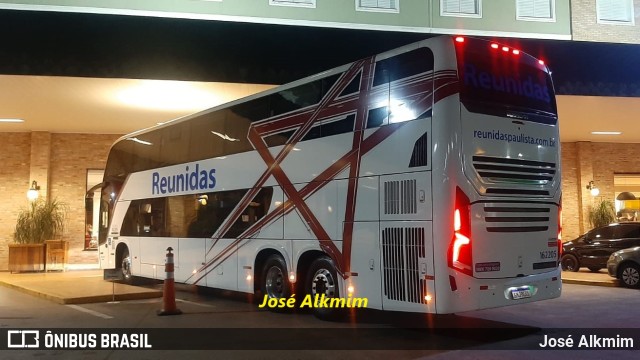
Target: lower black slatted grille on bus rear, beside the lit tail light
[(518, 218)]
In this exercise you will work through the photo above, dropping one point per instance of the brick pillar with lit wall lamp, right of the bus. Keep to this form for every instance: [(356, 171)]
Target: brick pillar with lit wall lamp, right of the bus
[(585, 174)]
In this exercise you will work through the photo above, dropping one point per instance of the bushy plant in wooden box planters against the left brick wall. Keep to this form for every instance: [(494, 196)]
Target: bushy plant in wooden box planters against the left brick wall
[(39, 223)]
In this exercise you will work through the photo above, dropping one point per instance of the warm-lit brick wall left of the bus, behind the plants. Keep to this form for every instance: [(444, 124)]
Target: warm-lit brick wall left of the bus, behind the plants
[(70, 157)]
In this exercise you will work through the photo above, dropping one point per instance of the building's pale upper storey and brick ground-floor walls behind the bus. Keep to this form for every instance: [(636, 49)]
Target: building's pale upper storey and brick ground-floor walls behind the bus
[(61, 161)]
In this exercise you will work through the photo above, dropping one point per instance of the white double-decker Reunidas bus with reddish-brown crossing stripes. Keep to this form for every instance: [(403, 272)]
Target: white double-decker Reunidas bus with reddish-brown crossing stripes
[(424, 179)]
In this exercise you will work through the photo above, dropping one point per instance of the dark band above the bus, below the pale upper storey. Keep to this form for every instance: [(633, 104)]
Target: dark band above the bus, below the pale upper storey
[(66, 44)]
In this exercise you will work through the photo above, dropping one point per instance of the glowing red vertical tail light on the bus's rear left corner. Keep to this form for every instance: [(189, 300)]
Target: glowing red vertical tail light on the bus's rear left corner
[(459, 256)]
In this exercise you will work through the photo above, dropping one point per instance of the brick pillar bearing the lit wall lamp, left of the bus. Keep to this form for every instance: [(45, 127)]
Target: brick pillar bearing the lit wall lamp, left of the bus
[(40, 163)]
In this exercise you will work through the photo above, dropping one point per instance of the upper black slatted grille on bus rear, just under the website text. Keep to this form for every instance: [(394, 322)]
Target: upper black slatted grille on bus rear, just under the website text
[(516, 171)]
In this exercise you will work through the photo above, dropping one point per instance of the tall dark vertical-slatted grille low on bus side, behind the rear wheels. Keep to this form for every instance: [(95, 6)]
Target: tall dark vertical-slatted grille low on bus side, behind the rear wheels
[(401, 249)]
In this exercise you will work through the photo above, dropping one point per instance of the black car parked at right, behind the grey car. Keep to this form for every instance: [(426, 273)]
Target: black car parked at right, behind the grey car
[(592, 250)]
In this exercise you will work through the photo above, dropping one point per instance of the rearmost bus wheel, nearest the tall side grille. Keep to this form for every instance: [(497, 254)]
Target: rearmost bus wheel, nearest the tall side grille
[(322, 281)]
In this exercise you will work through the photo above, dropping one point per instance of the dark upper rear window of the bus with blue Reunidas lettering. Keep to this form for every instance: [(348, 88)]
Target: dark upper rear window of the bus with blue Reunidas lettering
[(496, 81)]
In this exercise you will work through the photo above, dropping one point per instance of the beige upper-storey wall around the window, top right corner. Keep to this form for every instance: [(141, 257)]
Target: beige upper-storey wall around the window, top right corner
[(585, 26)]
